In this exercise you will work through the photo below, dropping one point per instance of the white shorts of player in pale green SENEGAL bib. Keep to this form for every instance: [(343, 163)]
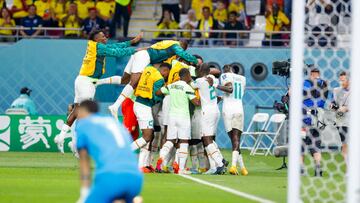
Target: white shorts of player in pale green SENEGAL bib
[(179, 128)]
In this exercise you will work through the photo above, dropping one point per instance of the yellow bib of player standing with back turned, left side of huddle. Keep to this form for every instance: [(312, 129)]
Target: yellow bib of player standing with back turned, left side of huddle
[(148, 78)]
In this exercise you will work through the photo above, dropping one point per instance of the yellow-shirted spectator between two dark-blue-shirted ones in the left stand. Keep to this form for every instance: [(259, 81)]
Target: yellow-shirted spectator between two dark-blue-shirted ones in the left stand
[(71, 20)]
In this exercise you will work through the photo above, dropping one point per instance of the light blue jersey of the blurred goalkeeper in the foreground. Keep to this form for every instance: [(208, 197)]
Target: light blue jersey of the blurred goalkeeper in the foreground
[(107, 143)]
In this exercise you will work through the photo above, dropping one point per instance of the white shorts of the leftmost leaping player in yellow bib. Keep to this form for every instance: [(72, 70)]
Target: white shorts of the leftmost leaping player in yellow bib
[(84, 88)]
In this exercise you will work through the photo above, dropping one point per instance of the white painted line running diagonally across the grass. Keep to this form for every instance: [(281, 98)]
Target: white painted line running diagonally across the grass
[(229, 190)]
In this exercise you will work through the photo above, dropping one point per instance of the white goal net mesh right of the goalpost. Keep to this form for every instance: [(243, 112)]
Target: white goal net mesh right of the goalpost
[(327, 46)]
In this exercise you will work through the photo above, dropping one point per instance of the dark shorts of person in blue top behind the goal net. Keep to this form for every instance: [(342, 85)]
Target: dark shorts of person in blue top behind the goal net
[(312, 141)]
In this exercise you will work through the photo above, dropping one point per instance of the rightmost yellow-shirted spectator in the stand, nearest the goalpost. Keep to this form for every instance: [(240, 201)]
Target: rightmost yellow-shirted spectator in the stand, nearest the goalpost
[(276, 20)]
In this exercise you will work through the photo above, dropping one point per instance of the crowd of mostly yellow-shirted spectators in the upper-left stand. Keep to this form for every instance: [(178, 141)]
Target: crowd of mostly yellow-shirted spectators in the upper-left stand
[(86, 15)]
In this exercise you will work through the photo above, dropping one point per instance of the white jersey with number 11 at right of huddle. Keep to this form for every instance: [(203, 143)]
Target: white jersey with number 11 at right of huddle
[(233, 102)]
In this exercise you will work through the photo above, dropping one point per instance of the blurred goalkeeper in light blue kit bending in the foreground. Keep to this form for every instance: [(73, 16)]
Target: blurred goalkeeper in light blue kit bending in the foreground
[(108, 144)]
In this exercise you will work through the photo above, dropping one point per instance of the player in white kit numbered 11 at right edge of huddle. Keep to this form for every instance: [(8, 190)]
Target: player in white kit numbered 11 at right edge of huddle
[(233, 113)]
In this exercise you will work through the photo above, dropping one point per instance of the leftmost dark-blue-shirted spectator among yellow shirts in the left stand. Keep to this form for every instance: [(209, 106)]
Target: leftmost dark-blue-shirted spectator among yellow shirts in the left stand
[(31, 21)]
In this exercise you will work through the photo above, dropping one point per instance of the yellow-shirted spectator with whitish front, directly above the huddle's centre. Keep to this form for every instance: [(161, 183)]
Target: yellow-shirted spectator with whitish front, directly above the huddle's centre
[(207, 23)]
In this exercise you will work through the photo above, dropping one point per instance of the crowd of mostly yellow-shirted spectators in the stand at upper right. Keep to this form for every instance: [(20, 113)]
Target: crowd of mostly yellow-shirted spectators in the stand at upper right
[(206, 16)]
